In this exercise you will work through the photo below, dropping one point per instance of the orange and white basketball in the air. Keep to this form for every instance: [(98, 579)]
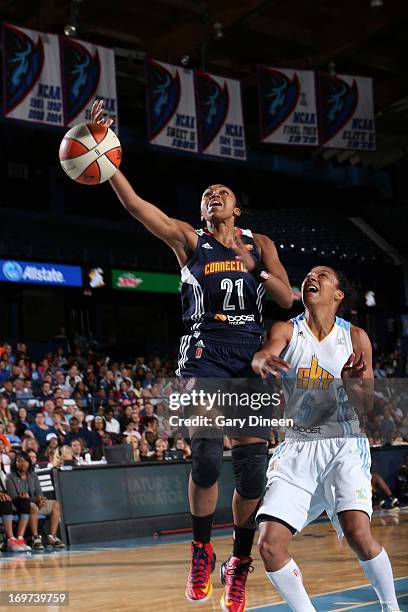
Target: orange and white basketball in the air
[(90, 153)]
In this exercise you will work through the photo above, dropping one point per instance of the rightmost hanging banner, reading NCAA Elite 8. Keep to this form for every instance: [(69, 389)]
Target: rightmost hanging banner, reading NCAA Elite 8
[(347, 112)]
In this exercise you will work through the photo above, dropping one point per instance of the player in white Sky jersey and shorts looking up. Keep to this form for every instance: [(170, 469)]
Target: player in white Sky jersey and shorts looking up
[(324, 462)]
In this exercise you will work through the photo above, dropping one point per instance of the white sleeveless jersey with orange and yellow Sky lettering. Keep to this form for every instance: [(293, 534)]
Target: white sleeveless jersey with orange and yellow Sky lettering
[(314, 394)]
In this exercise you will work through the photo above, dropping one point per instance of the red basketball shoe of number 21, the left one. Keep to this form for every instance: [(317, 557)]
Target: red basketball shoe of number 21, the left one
[(199, 587)]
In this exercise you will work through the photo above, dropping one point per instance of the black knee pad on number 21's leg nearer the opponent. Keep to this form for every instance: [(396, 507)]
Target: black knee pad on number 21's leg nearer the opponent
[(249, 462)]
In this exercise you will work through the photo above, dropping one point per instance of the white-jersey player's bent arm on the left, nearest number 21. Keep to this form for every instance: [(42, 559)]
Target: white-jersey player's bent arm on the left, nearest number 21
[(266, 360)]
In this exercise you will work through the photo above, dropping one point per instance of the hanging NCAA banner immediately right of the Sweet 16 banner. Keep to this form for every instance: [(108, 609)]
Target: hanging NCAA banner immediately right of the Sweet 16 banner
[(220, 120)]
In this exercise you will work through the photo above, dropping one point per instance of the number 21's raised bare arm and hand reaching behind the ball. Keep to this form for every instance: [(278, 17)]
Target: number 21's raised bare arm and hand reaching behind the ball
[(177, 234)]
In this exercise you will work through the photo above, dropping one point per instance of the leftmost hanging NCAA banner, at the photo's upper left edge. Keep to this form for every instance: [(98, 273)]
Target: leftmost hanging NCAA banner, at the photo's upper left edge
[(32, 76)]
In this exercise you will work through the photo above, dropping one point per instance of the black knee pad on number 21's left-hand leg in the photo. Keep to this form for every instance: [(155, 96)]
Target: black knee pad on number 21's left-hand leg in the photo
[(206, 455)]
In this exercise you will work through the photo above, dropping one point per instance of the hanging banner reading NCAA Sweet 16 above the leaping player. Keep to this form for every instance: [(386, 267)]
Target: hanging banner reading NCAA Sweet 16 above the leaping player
[(171, 111)]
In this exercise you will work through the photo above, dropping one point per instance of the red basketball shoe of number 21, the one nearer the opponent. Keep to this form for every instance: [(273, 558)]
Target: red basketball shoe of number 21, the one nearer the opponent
[(234, 573)]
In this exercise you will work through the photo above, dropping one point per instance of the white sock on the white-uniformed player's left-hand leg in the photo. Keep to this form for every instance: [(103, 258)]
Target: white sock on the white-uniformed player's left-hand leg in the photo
[(288, 582)]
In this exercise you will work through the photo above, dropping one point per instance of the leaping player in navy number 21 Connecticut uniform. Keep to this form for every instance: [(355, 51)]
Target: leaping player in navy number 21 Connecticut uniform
[(225, 274)]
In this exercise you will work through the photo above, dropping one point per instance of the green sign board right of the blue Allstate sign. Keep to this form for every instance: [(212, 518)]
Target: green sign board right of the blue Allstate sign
[(131, 280)]
